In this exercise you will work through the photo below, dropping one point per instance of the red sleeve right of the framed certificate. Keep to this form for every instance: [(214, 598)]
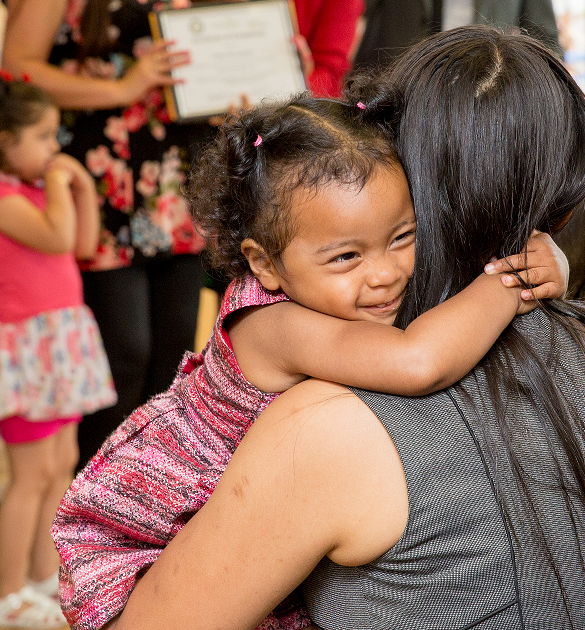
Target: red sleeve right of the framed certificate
[(329, 26)]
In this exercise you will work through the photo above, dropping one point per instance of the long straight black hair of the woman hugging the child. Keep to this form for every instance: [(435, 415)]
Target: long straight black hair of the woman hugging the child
[(492, 139)]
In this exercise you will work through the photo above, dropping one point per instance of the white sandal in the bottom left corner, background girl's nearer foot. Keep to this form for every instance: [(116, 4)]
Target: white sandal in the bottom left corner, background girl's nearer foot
[(40, 612)]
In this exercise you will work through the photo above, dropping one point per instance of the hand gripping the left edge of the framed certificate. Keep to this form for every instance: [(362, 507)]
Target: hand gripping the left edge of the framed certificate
[(151, 70)]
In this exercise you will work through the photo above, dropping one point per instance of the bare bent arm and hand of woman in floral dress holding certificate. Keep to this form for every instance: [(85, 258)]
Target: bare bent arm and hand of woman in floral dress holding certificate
[(30, 34)]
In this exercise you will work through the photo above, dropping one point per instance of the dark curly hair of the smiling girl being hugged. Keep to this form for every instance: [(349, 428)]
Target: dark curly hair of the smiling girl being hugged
[(244, 181)]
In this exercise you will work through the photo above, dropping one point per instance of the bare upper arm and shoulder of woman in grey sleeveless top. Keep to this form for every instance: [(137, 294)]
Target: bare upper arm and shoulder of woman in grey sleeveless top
[(317, 474)]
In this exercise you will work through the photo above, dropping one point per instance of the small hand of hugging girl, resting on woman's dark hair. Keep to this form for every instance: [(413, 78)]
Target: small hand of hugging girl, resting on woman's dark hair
[(545, 266)]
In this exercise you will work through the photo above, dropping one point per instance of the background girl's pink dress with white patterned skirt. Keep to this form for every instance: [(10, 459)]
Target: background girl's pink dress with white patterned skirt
[(52, 361)]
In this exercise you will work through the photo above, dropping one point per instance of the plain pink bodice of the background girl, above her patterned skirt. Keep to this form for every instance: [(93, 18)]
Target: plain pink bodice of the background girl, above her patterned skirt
[(32, 282)]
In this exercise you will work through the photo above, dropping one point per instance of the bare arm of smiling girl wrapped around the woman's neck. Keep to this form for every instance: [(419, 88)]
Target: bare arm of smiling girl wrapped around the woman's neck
[(278, 346)]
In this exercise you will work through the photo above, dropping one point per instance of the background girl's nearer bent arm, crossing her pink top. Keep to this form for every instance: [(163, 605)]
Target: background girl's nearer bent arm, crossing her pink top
[(52, 231)]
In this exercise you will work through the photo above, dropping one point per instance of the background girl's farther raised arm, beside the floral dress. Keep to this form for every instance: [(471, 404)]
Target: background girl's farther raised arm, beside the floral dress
[(85, 200)]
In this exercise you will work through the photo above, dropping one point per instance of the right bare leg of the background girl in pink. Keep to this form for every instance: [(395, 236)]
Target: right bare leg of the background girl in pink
[(44, 560)]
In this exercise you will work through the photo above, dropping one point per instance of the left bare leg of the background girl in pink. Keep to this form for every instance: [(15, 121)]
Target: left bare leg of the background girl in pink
[(31, 469)]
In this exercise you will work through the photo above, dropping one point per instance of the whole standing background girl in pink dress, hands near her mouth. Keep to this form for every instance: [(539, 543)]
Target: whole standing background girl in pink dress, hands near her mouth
[(52, 365)]
